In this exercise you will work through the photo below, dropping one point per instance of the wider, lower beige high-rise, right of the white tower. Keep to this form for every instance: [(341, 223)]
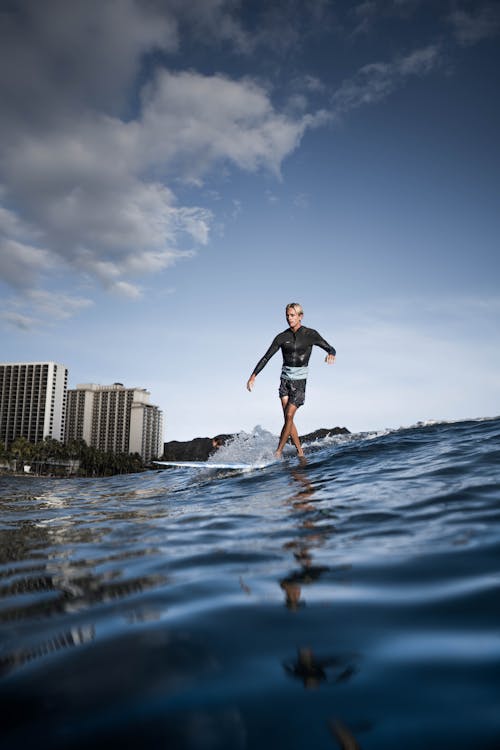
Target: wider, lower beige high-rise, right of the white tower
[(114, 418)]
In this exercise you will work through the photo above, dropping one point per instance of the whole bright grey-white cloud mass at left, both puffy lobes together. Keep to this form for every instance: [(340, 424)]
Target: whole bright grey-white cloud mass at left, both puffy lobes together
[(94, 188)]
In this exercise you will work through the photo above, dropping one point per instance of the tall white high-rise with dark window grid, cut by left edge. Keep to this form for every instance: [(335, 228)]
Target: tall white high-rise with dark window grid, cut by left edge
[(32, 401)]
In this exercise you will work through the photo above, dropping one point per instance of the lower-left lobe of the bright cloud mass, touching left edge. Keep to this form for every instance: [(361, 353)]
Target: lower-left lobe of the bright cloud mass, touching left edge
[(82, 192)]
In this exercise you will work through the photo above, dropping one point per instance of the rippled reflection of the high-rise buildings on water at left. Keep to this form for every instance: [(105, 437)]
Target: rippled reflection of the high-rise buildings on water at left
[(57, 583)]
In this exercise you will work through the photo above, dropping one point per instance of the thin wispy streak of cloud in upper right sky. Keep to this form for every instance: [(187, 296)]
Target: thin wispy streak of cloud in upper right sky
[(376, 81)]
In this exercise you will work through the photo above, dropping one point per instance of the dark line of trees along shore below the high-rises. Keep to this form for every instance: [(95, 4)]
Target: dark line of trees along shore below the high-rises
[(75, 457)]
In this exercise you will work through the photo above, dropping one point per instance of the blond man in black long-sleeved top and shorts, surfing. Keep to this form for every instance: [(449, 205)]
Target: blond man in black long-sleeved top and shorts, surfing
[(296, 344)]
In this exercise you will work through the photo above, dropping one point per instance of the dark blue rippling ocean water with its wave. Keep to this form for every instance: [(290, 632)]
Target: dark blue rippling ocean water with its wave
[(353, 601)]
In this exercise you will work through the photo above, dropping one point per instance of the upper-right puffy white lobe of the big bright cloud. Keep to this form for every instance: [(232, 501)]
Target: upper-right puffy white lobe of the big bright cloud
[(192, 121)]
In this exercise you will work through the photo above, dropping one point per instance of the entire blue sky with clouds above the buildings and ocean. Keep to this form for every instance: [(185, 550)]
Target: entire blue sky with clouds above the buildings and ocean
[(174, 172)]
